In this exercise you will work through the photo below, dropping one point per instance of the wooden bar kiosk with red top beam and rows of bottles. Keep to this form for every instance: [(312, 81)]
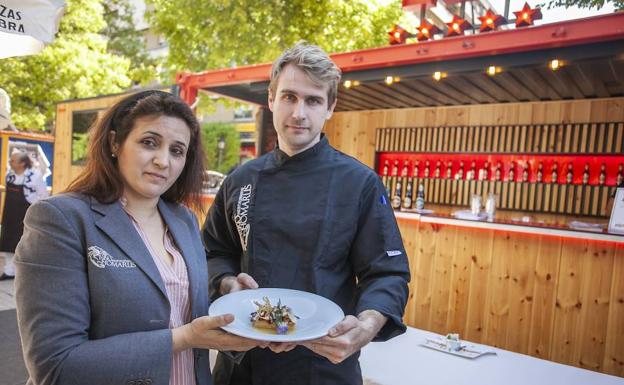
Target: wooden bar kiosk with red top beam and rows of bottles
[(538, 132)]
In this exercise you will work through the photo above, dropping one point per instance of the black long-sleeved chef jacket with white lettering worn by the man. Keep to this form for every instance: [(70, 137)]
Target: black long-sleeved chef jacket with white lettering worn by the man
[(319, 221)]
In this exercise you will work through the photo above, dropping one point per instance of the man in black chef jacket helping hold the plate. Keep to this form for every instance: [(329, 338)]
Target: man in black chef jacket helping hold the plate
[(307, 217)]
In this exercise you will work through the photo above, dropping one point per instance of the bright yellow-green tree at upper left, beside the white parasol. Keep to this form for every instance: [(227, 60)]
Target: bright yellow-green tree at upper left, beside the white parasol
[(76, 65)]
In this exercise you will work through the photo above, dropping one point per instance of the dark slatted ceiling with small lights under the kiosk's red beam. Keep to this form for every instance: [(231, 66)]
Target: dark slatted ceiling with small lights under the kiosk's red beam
[(590, 71)]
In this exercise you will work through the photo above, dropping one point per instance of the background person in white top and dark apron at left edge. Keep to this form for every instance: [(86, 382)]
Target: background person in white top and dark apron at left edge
[(24, 186)]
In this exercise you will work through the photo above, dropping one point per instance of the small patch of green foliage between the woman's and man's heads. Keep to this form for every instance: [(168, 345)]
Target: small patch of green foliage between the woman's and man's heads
[(211, 133)]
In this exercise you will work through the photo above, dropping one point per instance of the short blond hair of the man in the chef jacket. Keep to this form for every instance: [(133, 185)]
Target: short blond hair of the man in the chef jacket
[(314, 62)]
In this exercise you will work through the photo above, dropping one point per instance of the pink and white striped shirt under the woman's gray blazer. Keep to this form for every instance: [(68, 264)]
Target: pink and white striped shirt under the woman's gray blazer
[(175, 277)]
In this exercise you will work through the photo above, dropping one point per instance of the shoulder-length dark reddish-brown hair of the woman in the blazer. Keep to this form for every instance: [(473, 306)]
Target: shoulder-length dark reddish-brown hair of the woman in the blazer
[(101, 177)]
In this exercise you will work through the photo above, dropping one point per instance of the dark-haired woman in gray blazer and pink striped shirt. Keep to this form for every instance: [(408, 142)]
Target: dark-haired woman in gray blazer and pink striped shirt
[(111, 281)]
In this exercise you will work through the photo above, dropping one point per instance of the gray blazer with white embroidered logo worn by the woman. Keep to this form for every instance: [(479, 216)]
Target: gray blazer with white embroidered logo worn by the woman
[(91, 305)]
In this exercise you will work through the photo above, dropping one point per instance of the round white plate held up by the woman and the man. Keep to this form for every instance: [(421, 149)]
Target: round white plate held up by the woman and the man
[(316, 314)]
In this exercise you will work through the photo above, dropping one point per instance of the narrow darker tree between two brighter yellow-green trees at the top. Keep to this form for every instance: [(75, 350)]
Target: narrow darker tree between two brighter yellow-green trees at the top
[(124, 39)]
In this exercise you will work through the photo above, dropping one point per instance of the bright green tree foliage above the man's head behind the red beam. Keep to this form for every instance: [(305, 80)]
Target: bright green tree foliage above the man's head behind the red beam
[(222, 33)]
